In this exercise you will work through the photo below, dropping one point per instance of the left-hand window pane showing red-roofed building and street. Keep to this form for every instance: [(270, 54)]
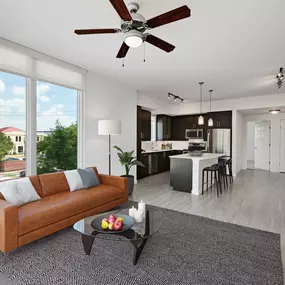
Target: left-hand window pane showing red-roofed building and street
[(12, 120)]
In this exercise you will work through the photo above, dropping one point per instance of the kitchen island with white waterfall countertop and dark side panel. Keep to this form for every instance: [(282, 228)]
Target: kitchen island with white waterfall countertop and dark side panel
[(186, 171)]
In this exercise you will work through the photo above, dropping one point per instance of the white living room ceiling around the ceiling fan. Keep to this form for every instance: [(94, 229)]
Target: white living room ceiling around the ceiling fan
[(236, 47)]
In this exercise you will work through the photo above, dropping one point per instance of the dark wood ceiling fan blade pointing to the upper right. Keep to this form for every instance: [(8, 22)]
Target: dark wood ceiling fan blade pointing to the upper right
[(169, 17)]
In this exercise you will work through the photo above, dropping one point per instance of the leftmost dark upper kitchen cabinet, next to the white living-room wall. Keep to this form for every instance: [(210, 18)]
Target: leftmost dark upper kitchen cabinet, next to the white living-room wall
[(143, 124)]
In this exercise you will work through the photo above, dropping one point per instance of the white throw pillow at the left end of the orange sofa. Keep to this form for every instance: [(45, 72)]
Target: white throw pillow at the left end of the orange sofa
[(19, 192)]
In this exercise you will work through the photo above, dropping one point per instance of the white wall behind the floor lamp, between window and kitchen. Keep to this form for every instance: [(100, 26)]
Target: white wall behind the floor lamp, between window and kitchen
[(108, 99)]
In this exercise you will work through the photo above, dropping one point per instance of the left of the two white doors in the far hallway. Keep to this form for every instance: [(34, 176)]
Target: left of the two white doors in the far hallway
[(262, 145)]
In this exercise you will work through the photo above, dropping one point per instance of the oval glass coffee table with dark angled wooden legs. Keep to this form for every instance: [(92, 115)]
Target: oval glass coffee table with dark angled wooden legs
[(136, 235)]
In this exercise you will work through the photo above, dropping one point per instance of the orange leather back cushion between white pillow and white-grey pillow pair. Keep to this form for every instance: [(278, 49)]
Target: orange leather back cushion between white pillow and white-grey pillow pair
[(53, 183)]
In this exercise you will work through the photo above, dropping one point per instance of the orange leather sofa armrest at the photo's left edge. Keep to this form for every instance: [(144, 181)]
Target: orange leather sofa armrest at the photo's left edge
[(8, 226)]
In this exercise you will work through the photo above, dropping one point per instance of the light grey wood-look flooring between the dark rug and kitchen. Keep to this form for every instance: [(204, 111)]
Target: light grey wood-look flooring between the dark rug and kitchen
[(256, 200)]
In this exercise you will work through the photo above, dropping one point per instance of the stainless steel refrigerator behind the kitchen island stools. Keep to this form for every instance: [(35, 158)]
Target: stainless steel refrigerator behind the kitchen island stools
[(219, 141)]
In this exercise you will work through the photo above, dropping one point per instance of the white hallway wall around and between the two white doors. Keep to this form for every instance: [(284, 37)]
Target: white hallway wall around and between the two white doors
[(275, 121)]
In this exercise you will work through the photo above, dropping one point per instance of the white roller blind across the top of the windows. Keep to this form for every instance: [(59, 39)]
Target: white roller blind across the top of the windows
[(29, 63)]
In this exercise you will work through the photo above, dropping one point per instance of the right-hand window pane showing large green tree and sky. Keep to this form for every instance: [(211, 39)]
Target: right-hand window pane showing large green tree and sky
[(57, 128)]
